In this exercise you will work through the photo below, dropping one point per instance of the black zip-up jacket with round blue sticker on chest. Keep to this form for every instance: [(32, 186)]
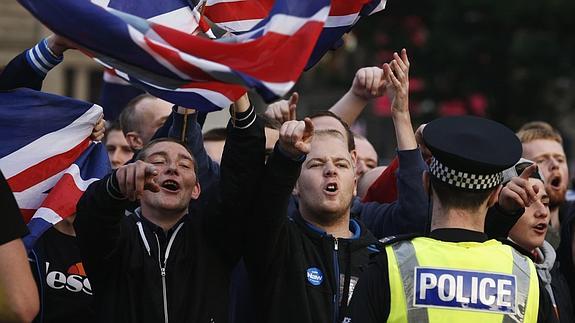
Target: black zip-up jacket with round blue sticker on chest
[(300, 273)]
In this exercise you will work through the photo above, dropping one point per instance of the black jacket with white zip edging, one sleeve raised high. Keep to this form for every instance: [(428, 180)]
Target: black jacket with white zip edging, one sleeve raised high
[(139, 274)]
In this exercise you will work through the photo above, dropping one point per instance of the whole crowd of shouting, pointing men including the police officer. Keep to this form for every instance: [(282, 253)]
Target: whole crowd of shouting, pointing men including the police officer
[(277, 218)]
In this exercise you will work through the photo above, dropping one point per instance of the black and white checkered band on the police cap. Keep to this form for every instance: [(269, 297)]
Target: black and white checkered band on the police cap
[(462, 179)]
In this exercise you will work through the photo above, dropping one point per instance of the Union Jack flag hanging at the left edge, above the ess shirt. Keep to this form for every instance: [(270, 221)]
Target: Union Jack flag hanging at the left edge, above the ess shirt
[(46, 155)]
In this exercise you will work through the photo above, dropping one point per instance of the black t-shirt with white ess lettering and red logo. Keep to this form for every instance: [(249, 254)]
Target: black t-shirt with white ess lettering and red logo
[(67, 294)]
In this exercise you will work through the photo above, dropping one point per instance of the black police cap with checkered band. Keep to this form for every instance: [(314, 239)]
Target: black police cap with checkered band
[(470, 153)]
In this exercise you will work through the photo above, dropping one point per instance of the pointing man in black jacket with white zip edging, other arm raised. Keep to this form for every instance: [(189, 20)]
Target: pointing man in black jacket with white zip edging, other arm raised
[(163, 263)]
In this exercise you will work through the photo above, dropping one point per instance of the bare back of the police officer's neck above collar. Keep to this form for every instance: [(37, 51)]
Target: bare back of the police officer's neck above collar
[(453, 218)]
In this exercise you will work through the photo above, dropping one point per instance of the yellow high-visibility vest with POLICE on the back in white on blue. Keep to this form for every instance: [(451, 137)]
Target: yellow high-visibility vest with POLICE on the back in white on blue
[(437, 281)]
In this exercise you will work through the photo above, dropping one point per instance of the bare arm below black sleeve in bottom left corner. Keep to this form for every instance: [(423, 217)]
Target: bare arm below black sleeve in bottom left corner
[(18, 292)]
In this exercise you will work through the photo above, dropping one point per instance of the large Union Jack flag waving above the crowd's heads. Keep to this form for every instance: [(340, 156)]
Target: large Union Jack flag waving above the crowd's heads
[(188, 70)]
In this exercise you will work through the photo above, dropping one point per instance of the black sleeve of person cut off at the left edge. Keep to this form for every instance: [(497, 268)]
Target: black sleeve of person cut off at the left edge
[(13, 226)]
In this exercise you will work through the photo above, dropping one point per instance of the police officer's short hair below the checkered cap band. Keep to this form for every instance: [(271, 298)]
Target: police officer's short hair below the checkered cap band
[(455, 198)]
